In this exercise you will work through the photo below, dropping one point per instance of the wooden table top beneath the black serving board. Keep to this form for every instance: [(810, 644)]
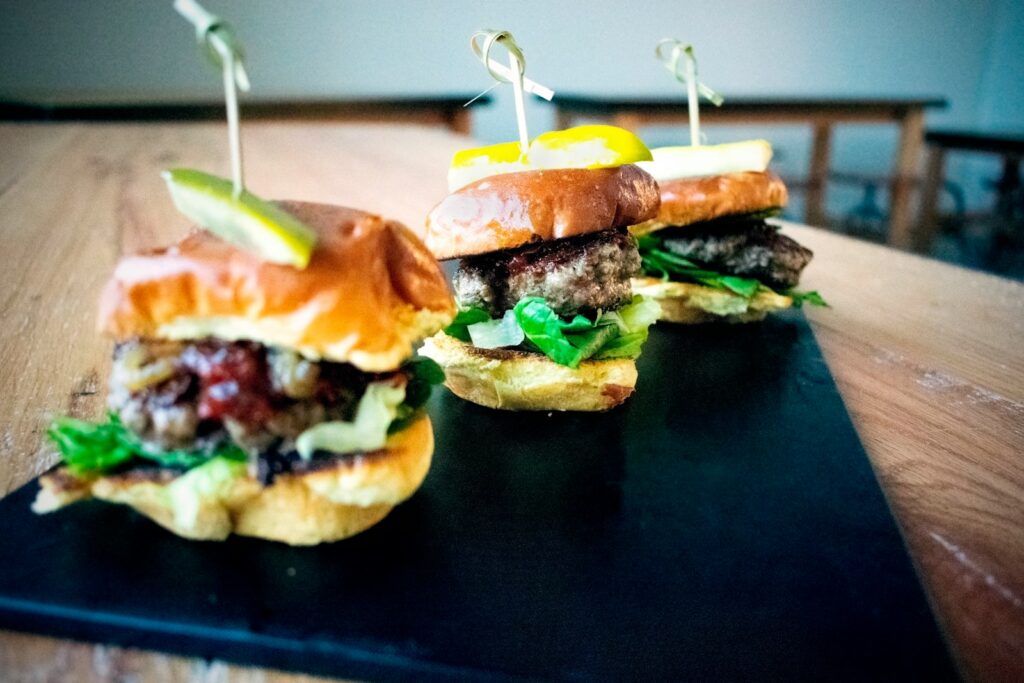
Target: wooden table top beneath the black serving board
[(929, 358)]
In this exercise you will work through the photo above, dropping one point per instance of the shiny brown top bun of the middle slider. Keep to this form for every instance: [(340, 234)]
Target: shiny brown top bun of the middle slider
[(513, 209)]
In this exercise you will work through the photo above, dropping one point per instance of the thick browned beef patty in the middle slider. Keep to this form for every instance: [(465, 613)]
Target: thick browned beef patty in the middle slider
[(574, 275)]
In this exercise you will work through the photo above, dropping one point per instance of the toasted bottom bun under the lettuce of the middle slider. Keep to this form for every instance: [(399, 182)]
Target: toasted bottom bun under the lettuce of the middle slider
[(516, 380)]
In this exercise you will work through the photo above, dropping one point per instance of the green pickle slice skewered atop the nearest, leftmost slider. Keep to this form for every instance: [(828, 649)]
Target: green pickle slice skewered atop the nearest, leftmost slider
[(246, 222)]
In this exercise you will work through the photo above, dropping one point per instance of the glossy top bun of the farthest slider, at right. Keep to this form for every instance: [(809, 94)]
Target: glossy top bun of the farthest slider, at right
[(690, 201)]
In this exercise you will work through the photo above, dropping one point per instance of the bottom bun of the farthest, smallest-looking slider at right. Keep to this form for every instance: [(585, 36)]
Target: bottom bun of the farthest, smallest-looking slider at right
[(690, 304)]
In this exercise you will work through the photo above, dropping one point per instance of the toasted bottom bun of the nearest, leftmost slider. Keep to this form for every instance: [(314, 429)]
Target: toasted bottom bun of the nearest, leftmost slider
[(328, 503)]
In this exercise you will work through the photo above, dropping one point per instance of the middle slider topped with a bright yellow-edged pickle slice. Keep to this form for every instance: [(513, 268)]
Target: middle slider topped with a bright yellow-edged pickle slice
[(547, 319)]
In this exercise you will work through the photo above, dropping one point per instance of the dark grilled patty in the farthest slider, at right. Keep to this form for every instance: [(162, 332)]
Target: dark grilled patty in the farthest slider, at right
[(746, 249)]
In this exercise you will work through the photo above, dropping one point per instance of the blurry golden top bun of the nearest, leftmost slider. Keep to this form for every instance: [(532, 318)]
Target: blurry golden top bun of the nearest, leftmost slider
[(370, 291)]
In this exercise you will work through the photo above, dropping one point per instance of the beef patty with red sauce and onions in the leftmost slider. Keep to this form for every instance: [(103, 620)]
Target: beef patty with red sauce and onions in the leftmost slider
[(187, 395)]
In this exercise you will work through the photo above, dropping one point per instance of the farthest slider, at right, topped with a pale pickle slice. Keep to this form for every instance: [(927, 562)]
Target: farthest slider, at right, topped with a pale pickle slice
[(710, 254)]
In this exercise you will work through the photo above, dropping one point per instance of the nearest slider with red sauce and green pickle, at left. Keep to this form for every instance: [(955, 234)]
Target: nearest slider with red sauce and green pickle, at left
[(272, 400)]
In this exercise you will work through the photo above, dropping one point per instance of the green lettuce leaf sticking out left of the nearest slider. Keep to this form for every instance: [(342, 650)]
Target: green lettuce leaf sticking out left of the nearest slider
[(90, 448)]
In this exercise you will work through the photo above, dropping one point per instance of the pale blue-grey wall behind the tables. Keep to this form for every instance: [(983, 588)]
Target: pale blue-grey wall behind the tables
[(968, 52)]
